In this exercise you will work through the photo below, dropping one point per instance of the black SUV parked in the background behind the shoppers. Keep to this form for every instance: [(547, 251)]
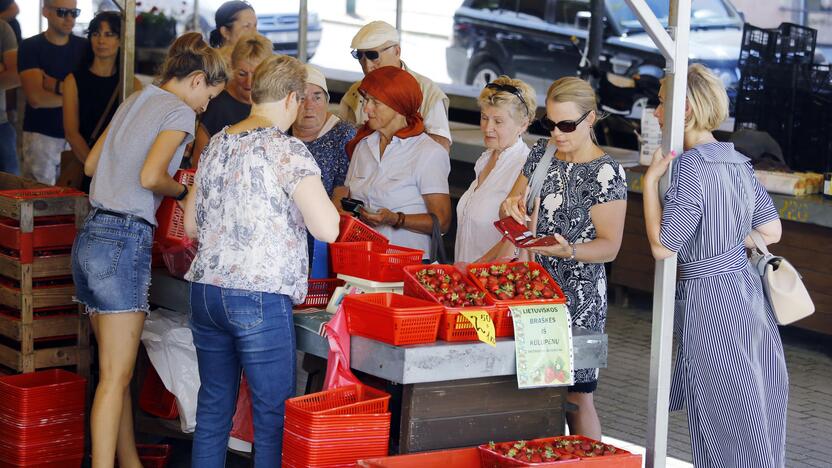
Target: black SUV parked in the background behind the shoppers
[(534, 40)]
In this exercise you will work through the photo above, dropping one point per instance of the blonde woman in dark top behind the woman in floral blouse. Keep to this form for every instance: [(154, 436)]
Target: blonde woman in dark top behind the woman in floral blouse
[(234, 103)]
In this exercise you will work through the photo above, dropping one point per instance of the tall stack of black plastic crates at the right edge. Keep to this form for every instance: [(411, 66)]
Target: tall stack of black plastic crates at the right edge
[(778, 93)]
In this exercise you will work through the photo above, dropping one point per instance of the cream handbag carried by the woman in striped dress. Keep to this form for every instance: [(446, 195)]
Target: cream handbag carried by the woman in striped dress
[(783, 285)]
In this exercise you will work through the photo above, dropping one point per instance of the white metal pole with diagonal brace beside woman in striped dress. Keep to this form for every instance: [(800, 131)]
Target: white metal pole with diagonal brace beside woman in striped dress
[(673, 44)]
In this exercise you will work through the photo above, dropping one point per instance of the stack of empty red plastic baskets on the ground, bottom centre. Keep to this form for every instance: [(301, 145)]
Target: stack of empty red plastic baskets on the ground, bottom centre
[(336, 427)]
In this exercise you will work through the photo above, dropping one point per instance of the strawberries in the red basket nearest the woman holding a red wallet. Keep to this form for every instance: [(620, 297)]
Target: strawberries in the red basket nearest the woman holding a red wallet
[(516, 281)]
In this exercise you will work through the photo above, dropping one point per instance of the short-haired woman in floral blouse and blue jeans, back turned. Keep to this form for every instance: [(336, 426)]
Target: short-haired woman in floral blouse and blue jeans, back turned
[(256, 192)]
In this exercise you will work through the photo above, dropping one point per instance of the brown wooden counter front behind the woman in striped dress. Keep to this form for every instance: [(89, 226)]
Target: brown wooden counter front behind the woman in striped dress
[(807, 230)]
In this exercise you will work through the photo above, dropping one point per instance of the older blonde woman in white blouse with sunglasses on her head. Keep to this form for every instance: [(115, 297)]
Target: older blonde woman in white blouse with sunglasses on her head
[(507, 107)]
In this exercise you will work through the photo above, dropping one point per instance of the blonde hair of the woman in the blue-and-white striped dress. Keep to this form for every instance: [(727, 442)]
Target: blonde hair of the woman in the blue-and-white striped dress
[(707, 99)]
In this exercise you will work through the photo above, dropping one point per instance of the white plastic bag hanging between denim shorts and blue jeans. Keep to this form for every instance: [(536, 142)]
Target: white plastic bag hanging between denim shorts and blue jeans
[(170, 347)]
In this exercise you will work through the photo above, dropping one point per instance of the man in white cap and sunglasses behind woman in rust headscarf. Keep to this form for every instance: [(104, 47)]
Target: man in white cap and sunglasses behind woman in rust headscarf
[(377, 45)]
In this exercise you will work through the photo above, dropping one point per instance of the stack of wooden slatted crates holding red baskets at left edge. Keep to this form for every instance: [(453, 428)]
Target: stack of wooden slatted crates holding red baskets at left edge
[(40, 325)]
